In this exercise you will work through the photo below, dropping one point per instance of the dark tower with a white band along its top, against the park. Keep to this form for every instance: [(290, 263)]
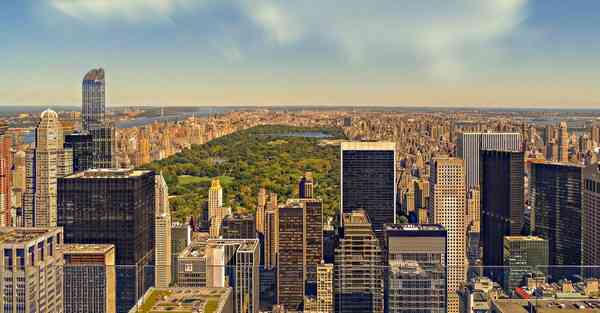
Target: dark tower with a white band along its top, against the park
[(368, 180)]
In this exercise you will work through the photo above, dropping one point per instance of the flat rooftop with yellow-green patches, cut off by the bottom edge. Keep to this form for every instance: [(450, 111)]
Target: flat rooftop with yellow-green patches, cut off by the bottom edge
[(183, 300)]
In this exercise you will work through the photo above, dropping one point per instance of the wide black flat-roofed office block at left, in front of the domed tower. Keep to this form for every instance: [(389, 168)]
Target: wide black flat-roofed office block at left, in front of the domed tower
[(117, 207)]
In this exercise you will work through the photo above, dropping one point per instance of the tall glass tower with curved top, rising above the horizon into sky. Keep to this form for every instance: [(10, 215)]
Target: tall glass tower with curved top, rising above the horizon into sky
[(93, 106)]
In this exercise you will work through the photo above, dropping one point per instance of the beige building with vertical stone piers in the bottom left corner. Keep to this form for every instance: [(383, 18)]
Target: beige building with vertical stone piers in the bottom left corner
[(32, 270)]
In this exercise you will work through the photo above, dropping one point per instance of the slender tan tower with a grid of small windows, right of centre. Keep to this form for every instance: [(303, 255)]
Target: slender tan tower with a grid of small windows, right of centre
[(447, 207)]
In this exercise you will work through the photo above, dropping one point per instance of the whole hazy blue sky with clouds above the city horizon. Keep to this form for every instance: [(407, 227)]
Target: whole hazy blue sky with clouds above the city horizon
[(535, 53)]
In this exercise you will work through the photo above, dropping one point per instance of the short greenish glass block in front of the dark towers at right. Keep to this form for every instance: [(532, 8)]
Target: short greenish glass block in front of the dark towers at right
[(523, 255)]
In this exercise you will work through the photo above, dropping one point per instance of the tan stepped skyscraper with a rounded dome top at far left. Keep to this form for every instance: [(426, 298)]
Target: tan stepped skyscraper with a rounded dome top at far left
[(47, 161)]
